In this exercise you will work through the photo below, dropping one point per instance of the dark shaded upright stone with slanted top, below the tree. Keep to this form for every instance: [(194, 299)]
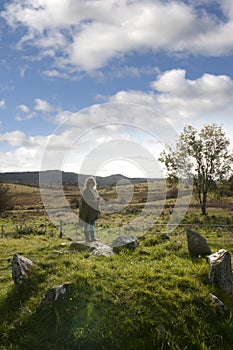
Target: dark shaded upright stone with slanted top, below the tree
[(197, 245)]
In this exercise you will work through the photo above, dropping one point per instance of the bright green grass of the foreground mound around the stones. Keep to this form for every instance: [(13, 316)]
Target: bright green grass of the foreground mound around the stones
[(155, 297)]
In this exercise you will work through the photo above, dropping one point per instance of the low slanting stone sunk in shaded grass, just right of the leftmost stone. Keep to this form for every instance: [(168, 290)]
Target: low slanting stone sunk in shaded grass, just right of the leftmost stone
[(53, 295)]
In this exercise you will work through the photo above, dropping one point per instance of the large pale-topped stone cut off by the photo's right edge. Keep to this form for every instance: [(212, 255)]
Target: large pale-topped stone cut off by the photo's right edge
[(221, 271)]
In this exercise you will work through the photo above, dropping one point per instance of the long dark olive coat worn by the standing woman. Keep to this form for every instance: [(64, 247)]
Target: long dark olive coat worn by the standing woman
[(88, 206)]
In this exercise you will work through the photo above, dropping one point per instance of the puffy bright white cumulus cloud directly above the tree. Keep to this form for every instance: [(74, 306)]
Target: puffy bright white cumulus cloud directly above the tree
[(184, 100)]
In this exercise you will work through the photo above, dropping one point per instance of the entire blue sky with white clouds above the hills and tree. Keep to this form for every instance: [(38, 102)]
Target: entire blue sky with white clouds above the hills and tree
[(101, 86)]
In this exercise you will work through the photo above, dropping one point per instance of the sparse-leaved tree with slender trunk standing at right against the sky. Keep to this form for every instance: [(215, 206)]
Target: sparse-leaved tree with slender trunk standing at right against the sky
[(202, 156)]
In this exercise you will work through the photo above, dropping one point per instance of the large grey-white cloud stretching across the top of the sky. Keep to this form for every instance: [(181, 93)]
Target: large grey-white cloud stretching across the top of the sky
[(87, 35)]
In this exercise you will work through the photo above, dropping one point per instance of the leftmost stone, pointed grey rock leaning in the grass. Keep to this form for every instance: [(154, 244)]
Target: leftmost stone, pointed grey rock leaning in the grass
[(20, 269)]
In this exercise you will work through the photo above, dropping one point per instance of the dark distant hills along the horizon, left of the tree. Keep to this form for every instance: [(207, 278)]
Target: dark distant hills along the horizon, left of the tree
[(68, 178)]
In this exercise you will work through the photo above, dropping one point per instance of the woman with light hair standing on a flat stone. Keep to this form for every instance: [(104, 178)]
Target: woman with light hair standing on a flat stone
[(89, 208)]
